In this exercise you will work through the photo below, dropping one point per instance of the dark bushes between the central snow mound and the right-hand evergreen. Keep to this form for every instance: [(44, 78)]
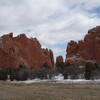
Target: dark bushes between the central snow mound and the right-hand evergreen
[(69, 70)]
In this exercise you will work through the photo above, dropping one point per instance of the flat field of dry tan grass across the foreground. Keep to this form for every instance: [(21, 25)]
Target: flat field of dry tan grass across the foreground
[(49, 91)]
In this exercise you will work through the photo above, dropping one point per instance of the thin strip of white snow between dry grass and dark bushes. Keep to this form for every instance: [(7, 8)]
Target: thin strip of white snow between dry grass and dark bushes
[(58, 79)]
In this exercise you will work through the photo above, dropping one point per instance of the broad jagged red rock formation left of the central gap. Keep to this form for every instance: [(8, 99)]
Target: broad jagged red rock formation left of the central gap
[(18, 50)]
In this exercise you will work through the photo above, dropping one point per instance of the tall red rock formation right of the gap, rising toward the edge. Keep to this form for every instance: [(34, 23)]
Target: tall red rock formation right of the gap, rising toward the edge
[(85, 50)]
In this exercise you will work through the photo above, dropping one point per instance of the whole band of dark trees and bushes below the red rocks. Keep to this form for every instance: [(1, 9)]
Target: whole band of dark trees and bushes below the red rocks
[(90, 71)]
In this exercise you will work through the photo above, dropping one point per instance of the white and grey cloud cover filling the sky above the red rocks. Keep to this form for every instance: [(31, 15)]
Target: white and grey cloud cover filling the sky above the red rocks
[(53, 22)]
